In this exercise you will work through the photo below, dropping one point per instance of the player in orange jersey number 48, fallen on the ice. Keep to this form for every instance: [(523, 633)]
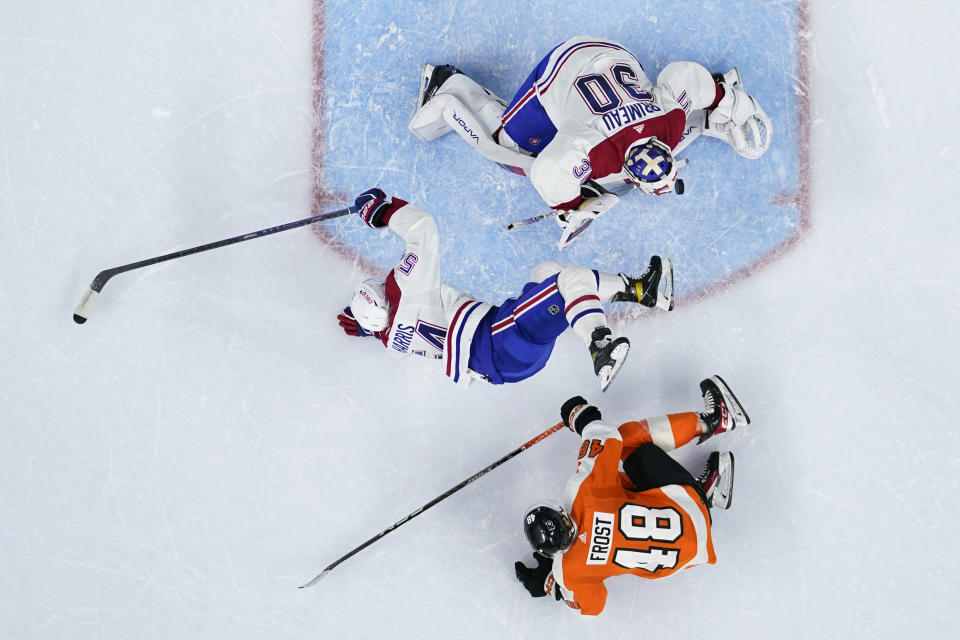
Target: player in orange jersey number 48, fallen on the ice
[(649, 520)]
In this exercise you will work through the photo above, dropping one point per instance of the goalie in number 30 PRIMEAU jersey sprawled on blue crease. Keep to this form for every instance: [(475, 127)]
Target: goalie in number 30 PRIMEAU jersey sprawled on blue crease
[(589, 112)]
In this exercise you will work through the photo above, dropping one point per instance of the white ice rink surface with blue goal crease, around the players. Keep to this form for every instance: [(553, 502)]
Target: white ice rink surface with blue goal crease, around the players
[(210, 439)]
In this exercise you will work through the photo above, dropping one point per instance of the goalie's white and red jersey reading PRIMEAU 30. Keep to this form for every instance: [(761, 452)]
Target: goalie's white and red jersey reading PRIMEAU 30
[(601, 102)]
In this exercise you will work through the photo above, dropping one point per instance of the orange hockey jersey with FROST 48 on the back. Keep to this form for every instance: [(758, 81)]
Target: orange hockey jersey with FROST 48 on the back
[(650, 534)]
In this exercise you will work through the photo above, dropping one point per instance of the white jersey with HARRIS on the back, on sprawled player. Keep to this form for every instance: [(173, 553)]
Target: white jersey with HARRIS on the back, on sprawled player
[(425, 312)]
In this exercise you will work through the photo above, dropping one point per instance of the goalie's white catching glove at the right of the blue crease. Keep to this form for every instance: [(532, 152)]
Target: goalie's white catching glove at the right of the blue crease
[(741, 122)]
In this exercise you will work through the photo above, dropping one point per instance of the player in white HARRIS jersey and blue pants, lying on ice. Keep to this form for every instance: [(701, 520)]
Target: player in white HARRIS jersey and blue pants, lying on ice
[(412, 312)]
